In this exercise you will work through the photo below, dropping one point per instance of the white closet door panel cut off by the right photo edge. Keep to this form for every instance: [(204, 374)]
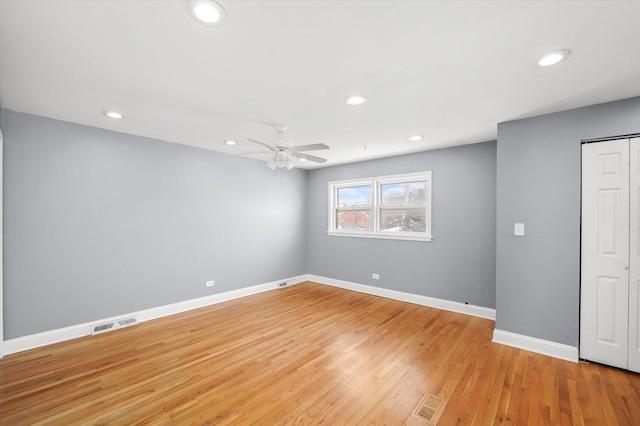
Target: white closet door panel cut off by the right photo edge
[(634, 261)]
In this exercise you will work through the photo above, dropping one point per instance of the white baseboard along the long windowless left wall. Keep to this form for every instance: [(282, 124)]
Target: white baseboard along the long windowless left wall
[(32, 341)]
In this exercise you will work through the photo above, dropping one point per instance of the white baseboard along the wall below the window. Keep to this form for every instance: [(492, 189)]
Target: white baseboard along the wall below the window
[(447, 305)]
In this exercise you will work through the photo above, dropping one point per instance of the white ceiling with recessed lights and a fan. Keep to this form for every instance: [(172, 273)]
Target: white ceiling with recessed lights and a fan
[(450, 70)]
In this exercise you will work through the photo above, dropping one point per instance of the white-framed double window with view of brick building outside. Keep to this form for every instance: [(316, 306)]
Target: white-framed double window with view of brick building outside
[(397, 207)]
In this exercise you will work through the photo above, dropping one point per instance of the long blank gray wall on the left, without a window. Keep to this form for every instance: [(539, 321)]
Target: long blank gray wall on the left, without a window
[(99, 223)]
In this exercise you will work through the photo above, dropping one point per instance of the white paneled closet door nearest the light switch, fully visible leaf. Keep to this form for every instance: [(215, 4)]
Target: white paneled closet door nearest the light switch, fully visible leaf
[(604, 310)]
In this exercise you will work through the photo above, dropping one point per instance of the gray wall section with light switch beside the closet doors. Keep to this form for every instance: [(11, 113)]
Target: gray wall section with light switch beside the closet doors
[(538, 275)]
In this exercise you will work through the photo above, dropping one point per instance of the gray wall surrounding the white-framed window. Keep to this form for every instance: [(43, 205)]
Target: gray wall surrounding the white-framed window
[(458, 265)]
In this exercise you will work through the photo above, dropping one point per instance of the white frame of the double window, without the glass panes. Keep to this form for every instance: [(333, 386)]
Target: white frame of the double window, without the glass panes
[(376, 207)]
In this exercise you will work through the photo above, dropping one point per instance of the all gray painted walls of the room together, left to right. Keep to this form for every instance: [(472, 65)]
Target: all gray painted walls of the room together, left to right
[(99, 223)]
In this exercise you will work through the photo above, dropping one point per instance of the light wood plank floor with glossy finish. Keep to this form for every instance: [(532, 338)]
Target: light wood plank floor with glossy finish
[(307, 354)]
